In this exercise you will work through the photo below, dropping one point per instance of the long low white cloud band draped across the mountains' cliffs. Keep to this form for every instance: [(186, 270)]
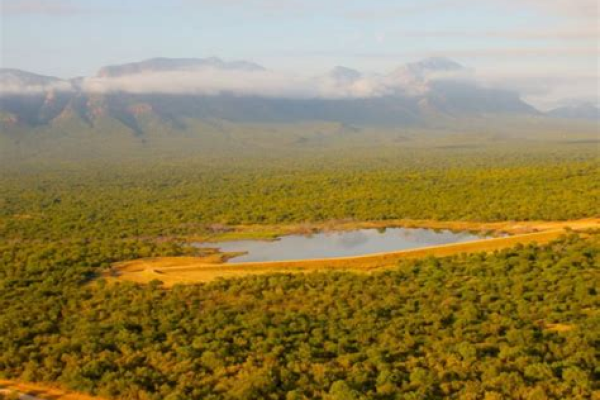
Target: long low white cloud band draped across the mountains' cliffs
[(265, 83)]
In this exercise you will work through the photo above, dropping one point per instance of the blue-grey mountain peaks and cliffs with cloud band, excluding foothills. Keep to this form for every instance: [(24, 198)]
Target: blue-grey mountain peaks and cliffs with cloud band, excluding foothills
[(411, 94)]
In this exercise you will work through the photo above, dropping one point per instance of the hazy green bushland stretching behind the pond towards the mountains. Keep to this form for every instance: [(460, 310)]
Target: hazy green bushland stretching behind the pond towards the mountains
[(183, 198)]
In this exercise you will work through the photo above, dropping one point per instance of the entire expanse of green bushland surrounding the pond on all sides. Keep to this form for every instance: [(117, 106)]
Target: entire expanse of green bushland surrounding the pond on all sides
[(521, 323)]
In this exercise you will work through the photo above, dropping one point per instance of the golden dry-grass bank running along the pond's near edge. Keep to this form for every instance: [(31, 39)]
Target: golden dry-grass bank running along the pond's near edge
[(189, 270)]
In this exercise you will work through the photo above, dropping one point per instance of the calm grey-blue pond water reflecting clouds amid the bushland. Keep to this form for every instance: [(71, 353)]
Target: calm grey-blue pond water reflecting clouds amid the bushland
[(339, 244)]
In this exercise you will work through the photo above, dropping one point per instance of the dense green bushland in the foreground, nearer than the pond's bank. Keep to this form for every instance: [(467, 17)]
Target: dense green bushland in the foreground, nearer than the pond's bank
[(463, 327)]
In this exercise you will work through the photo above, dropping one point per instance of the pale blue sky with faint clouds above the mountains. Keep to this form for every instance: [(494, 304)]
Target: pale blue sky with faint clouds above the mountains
[(546, 49)]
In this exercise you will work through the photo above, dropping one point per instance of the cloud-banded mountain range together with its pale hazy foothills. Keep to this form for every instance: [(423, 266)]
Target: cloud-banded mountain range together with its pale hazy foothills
[(214, 104)]
